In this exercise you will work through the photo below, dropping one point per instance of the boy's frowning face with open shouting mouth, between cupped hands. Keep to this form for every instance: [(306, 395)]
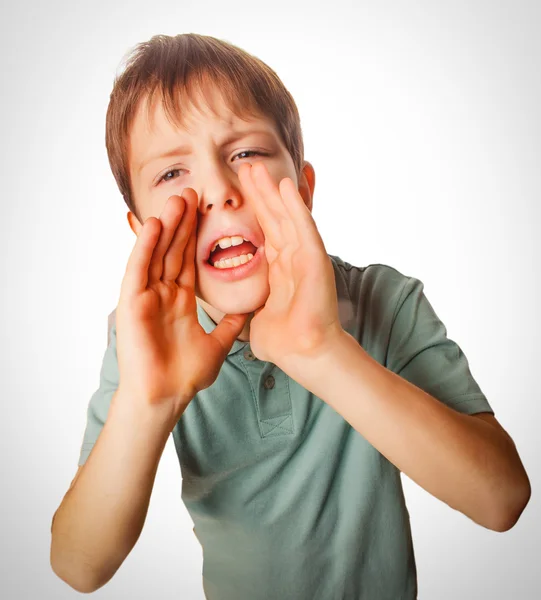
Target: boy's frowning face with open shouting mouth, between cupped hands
[(206, 156)]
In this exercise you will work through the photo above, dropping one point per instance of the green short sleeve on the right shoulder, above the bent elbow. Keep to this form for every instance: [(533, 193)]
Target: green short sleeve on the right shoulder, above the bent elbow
[(420, 352)]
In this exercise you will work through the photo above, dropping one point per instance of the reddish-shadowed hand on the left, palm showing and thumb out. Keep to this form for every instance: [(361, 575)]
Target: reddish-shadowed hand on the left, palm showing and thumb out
[(164, 355)]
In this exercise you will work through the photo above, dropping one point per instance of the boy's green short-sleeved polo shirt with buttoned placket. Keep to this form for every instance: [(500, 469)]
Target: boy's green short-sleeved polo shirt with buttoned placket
[(288, 500)]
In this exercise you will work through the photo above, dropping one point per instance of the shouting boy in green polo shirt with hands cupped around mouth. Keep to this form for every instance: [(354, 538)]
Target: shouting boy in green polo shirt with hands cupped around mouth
[(296, 386)]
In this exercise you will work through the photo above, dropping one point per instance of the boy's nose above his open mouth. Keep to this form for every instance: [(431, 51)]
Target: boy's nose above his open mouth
[(219, 188)]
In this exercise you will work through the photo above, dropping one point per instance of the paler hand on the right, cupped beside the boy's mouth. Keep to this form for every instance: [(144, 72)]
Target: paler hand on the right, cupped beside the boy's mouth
[(300, 318)]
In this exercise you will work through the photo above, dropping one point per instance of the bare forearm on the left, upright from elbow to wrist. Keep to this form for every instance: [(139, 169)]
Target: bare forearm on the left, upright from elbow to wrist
[(102, 516)]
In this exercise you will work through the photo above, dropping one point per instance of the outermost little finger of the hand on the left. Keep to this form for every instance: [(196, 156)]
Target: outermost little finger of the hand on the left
[(136, 276)]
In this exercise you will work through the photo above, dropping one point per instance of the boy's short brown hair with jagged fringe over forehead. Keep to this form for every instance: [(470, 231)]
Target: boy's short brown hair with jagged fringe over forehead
[(176, 67)]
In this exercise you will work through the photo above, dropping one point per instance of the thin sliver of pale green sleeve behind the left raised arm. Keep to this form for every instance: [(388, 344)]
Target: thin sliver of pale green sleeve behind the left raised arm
[(98, 407)]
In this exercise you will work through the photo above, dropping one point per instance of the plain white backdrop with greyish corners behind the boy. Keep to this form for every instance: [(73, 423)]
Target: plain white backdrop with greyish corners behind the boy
[(422, 121)]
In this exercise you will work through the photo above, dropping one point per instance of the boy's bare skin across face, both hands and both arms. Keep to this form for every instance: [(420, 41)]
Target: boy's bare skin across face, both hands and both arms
[(165, 356)]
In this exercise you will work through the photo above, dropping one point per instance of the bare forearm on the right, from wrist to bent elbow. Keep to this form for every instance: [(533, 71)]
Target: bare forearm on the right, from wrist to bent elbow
[(461, 460)]
